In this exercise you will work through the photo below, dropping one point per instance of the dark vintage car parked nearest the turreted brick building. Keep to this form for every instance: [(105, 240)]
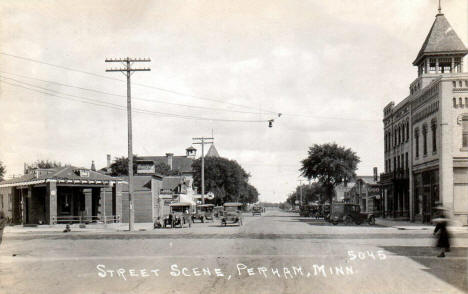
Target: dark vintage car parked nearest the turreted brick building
[(348, 213)]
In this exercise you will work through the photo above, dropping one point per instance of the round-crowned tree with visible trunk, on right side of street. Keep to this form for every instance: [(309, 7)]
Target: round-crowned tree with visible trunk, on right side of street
[(330, 164)]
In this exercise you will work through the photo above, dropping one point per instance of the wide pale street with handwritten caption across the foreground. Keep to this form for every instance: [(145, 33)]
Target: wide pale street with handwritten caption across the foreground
[(277, 252)]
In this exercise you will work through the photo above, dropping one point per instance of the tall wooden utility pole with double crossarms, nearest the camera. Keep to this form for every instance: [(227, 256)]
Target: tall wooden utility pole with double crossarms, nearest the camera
[(127, 71)]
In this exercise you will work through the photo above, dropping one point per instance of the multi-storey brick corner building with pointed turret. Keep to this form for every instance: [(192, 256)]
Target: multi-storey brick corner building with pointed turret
[(426, 134)]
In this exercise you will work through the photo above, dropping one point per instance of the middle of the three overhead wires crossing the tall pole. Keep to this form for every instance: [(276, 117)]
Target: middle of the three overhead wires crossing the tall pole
[(137, 98)]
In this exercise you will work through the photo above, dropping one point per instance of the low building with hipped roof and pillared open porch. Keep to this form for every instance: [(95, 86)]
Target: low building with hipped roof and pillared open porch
[(62, 194)]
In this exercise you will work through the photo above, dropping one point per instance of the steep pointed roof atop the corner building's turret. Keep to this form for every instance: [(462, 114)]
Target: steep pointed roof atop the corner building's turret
[(441, 39)]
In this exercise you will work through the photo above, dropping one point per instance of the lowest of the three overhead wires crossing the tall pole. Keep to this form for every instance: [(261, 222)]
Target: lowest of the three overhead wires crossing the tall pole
[(120, 107)]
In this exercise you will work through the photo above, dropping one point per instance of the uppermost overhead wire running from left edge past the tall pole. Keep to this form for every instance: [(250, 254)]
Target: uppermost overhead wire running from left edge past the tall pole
[(138, 84)]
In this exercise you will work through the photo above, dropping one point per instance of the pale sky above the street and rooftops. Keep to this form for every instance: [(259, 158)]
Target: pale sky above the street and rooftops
[(329, 67)]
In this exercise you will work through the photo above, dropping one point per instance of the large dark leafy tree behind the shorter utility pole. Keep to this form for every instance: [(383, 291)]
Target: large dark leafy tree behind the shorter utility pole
[(226, 179)]
